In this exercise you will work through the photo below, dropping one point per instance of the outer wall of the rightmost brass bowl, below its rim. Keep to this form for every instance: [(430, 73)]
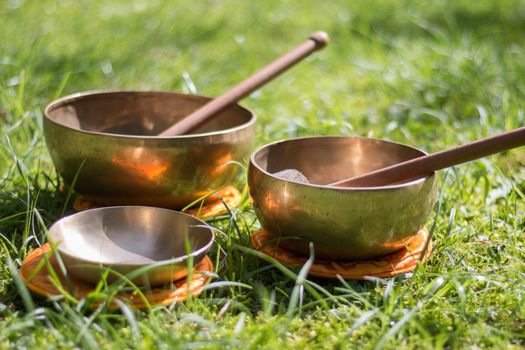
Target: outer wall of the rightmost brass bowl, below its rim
[(343, 224)]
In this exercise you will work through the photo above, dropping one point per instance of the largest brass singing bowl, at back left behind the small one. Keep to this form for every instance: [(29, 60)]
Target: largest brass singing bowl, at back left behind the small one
[(105, 145)]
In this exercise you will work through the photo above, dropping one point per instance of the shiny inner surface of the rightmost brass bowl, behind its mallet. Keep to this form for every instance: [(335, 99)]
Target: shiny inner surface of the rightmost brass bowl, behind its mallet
[(324, 160)]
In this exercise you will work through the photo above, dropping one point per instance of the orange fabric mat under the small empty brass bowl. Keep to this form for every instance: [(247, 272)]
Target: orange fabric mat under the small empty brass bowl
[(41, 283)]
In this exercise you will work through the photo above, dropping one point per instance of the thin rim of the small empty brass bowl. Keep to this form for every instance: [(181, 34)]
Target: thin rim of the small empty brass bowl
[(160, 262)]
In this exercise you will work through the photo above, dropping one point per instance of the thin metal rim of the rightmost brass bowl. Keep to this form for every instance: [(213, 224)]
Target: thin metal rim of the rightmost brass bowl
[(371, 188)]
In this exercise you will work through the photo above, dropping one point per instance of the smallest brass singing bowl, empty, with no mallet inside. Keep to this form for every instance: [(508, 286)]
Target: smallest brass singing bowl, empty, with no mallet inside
[(150, 246)]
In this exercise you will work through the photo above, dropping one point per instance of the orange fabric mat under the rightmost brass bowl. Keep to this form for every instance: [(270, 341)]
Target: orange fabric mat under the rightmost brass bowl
[(401, 261)]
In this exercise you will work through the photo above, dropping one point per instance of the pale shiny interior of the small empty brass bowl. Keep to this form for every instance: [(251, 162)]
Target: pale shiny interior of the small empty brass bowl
[(131, 236)]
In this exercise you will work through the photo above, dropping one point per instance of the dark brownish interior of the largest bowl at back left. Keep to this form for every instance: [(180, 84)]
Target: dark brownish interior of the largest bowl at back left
[(138, 113)]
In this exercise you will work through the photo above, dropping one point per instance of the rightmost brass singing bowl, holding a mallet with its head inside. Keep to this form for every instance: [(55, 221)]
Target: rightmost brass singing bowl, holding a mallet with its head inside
[(343, 223)]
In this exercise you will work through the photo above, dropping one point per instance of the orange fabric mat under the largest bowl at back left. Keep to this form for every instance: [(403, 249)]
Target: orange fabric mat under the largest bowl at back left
[(211, 207)]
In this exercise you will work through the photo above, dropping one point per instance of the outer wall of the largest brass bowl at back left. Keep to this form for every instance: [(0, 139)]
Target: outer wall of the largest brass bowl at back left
[(165, 172)]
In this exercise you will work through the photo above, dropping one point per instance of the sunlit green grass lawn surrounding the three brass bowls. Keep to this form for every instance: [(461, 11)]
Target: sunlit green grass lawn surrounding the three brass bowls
[(429, 73)]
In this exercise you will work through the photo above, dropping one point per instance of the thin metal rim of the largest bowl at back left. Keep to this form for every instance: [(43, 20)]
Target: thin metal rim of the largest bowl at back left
[(79, 95)]
